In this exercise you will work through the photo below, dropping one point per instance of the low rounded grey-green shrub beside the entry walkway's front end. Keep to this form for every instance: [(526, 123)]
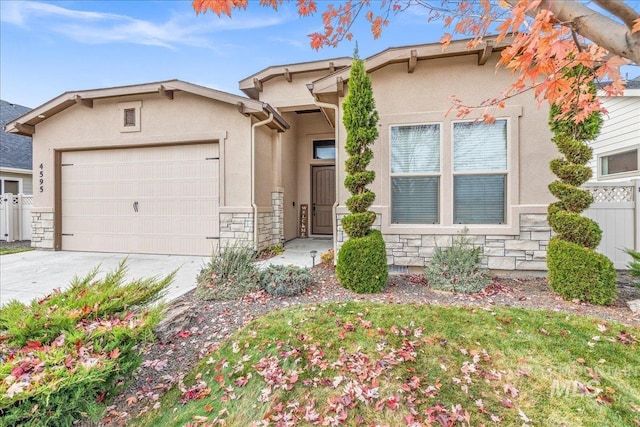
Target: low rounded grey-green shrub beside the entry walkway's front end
[(285, 280)]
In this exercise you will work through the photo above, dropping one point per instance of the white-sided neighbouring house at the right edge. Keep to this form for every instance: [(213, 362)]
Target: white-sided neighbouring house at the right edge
[(616, 151)]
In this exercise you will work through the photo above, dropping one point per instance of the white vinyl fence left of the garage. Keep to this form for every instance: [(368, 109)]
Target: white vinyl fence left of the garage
[(15, 217)]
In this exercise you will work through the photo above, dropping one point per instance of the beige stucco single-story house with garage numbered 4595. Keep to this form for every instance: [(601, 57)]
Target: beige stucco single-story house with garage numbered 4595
[(173, 167)]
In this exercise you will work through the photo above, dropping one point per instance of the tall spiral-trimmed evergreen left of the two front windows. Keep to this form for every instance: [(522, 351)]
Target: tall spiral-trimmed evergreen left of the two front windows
[(362, 260)]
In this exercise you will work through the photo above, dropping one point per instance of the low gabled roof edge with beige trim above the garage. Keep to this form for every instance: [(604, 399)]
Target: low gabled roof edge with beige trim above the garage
[(25, 124)]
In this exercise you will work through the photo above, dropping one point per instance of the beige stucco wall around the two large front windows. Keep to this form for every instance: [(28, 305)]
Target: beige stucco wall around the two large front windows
[(423, 97)]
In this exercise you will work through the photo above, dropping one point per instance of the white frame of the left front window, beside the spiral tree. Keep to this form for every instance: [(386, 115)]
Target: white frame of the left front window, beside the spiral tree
[(438, 175)]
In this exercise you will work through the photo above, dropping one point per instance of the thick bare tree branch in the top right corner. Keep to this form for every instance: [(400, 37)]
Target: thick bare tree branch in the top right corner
[(600, 29)]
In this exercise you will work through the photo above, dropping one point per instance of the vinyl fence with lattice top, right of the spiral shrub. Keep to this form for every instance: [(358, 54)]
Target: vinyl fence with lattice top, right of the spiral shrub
[(616, 208)]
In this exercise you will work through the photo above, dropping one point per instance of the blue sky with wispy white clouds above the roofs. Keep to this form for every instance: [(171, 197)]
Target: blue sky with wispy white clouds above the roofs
[(47, 48)]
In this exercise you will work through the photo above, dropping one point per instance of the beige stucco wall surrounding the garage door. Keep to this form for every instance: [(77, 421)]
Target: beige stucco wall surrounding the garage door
[(186, 118)]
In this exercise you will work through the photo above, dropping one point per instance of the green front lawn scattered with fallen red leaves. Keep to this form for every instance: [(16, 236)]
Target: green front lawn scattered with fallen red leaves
[(380, 364)]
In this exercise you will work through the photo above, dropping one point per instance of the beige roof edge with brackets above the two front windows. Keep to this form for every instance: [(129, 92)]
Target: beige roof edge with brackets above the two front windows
[(335, 82)]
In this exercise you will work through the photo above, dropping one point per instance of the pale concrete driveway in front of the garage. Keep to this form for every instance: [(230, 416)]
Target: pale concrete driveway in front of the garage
[(28, 275)]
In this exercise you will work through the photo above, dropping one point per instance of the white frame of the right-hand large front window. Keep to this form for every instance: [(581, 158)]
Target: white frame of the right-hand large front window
[(504, 172)]
